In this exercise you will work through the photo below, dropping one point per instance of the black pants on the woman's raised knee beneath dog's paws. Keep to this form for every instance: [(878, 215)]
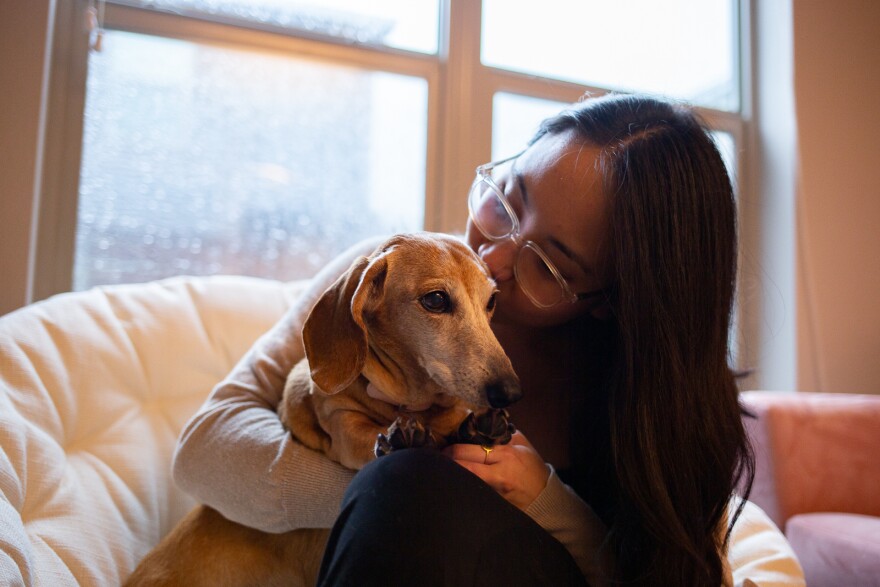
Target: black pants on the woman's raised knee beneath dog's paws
[(417, 518)]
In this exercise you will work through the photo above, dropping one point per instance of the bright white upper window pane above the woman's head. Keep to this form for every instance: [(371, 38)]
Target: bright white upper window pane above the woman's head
[(685, 49)]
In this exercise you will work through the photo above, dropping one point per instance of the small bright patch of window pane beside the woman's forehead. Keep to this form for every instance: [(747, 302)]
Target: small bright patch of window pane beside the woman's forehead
[(515, 120)]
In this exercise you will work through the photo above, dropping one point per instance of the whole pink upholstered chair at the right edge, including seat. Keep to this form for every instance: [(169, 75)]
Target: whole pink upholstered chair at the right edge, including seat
[(818, 478)]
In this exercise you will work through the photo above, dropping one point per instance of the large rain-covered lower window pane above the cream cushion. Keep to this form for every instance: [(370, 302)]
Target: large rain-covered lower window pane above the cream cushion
[(202, 160)]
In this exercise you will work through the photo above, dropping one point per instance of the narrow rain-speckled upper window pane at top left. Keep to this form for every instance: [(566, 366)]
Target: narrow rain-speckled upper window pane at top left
[(413, 25)]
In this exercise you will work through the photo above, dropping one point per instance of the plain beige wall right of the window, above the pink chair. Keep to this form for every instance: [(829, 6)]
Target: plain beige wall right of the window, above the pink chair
[(837, 89)]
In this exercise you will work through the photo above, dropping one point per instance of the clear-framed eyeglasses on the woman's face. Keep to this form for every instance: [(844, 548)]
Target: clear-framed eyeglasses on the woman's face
[(492, 214)]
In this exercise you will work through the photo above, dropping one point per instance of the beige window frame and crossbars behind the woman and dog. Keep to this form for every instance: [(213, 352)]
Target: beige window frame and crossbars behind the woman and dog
[(460, 95)]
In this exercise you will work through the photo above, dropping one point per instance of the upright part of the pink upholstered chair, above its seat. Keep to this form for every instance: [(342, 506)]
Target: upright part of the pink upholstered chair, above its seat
[(815, 452)]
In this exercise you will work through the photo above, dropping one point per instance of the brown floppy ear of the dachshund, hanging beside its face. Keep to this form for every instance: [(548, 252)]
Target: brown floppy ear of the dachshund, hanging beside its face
[(334, 334)]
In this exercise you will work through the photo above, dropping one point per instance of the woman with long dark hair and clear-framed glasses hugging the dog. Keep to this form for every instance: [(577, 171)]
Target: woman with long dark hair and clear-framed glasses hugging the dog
[(612, 239)]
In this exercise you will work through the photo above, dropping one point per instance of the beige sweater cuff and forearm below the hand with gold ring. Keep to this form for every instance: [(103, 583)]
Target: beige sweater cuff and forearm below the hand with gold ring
[(569, 519)]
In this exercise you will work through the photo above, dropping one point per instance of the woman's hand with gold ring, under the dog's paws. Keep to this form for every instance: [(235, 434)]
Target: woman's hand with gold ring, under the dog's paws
[(515, 470)]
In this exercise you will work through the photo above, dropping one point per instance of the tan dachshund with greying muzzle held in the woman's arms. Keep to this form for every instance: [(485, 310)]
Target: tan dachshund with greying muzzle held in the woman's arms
[(399, 353)]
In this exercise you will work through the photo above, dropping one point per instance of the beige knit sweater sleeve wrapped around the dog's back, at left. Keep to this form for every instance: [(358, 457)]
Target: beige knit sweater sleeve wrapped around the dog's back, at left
[(235, 455)]
